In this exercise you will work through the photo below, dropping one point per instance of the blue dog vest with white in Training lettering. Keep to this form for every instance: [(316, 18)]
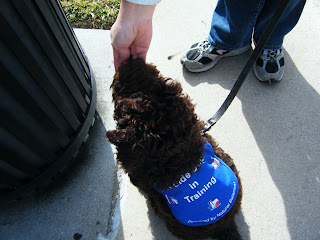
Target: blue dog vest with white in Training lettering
[(206, 195)]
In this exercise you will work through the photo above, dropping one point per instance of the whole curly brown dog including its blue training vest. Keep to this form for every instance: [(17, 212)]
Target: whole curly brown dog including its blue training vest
[(160, 145)]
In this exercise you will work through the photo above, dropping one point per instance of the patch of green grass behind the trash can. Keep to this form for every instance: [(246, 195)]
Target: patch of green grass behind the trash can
[(98, 14)]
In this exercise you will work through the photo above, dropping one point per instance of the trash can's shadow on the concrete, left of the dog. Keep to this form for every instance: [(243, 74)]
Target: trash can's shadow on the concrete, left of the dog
[(76, 205)]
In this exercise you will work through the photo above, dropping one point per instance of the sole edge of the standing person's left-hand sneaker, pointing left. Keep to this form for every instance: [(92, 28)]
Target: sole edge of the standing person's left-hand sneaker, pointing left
[(202, 68)]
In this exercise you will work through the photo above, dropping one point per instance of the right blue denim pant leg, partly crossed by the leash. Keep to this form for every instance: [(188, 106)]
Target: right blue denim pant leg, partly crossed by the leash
[(287, 22)]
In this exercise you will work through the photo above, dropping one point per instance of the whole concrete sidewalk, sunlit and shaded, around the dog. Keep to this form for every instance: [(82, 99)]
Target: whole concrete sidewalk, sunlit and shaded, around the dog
[(271, 131)]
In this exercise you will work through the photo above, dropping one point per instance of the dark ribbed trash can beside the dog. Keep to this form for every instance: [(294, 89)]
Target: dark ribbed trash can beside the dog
[(47, 95)]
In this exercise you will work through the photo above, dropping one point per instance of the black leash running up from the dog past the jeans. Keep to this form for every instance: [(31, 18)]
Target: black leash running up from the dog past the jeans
[(253, 57)]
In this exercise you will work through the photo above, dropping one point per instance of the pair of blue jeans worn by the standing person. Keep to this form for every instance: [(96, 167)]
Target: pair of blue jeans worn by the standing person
[(235, 22)]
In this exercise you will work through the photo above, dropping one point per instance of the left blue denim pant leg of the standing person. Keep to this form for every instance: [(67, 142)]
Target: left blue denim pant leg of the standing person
[(233, 22)]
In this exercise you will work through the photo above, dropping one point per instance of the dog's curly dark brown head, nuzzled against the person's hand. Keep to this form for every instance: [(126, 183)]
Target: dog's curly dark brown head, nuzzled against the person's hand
[(146, 102)]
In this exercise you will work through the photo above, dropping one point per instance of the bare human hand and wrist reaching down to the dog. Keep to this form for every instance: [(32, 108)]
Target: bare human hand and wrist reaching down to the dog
[(132, 32)]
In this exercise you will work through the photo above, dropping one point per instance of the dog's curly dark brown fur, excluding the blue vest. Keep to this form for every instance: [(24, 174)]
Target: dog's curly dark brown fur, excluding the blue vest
[(158, 139)]
